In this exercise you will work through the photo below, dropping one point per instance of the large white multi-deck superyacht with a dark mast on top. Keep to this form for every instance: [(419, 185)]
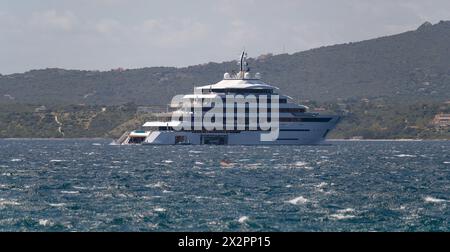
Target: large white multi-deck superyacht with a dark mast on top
[(192, 120)]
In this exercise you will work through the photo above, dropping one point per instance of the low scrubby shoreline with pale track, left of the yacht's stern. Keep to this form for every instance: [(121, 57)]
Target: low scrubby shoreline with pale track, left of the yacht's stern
[(26, 121)]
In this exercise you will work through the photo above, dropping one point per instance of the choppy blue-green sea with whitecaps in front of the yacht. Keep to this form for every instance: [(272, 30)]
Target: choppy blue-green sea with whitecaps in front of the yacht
[(89, 185)]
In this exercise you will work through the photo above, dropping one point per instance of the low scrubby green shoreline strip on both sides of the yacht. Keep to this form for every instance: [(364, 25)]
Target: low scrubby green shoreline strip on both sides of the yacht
[(368, 119)]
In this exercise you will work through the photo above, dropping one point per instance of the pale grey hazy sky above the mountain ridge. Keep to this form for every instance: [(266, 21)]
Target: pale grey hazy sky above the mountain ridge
[(105, 34)]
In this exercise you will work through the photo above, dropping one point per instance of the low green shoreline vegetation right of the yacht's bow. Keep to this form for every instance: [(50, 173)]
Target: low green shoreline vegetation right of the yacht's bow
[(386, 119)]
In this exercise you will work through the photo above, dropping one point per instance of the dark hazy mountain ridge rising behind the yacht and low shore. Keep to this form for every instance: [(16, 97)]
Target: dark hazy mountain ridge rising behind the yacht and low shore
[(413, 65)]
